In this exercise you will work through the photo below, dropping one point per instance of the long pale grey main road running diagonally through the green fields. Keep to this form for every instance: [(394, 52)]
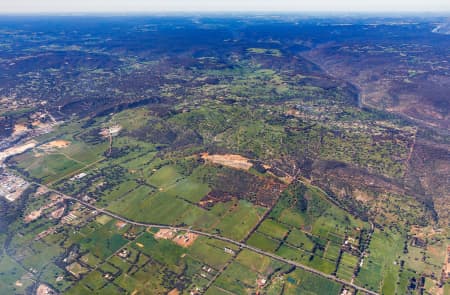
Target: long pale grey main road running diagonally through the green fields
[(214, 236)]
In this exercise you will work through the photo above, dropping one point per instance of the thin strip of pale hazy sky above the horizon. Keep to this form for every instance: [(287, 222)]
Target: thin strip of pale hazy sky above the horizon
[(130, 6)]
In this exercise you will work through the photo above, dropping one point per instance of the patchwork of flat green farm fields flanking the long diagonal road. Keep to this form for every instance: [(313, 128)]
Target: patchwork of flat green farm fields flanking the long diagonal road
[(95, 253)]
